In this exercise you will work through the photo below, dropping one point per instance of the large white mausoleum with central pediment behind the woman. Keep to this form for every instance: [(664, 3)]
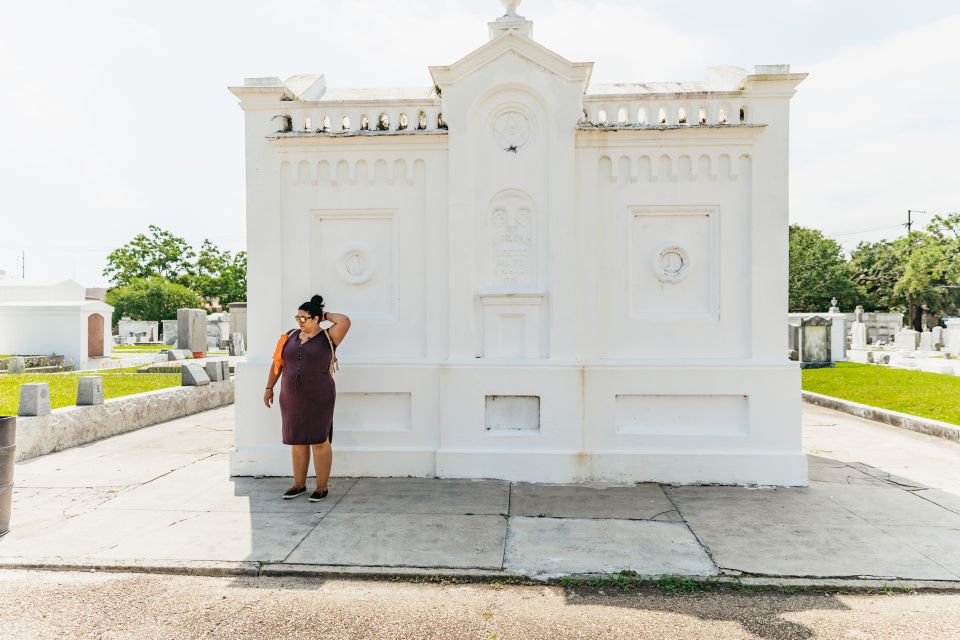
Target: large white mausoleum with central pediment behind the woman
[(549, 280)]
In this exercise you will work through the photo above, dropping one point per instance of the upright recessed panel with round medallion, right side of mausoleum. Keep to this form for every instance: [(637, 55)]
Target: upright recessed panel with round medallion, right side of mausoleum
[(673, 262)]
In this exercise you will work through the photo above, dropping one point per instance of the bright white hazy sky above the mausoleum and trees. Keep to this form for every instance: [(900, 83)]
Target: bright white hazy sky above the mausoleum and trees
[(115, 114)]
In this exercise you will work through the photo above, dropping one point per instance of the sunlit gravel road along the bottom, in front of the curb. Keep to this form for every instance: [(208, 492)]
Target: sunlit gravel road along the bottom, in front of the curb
[(95, 605)]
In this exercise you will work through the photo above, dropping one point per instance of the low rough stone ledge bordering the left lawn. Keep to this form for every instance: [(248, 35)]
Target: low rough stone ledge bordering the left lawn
[(73, 426)]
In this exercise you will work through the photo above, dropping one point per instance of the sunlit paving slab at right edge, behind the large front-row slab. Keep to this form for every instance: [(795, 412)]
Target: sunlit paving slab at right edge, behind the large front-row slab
[(892, 507)]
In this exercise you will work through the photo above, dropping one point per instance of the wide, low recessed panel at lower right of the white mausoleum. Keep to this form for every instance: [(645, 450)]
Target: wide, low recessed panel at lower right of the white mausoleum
[(688, 415)]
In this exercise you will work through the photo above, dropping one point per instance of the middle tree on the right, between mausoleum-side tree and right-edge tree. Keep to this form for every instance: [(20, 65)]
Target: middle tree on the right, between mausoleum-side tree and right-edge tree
[(876, 267)]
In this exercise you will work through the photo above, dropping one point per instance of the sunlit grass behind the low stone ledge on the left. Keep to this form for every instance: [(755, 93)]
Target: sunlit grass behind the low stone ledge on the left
[(63, 386)]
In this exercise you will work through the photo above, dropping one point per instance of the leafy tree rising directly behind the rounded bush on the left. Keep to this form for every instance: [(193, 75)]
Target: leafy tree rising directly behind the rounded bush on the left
[(159, 254)]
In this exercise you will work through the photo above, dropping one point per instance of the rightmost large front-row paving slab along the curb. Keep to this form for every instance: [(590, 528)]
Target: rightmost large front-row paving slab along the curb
[(815, 550)]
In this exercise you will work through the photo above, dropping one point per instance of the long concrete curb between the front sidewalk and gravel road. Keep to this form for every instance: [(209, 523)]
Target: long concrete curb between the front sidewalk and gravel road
[(222, 569)]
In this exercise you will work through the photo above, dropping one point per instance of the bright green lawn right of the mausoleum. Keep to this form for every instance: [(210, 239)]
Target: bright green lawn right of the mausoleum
[(929, 395)]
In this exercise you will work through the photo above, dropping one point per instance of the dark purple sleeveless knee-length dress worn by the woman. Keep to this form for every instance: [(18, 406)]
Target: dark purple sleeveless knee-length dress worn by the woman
[(307, 390)]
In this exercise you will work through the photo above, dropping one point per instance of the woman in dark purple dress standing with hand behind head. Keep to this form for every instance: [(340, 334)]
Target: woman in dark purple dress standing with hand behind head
[(307, 392)]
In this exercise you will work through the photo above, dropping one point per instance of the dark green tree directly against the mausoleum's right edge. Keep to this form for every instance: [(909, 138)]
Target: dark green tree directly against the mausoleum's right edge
[(818, 272)]
